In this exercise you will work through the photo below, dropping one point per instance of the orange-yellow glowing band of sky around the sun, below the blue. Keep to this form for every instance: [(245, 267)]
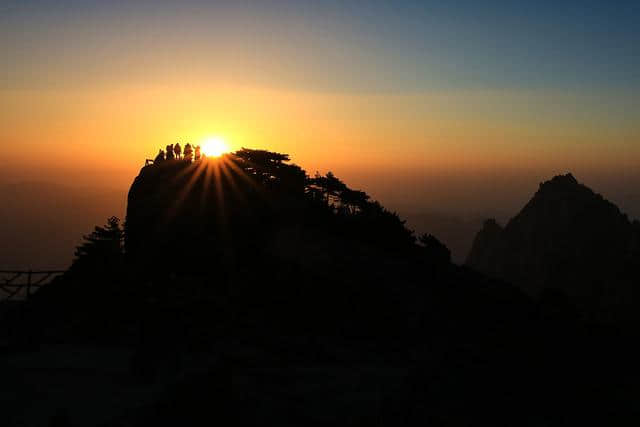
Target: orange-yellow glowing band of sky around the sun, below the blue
[(77, 133)]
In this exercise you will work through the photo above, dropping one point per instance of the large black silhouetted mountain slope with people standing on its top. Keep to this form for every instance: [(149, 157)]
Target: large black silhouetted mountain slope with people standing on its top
[(252, 293)]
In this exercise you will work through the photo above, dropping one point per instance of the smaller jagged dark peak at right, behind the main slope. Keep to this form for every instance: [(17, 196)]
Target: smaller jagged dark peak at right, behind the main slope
[(569, 239)]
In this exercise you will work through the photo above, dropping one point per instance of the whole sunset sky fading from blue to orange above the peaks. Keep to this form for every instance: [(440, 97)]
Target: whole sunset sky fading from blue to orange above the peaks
[(455, 88)]
